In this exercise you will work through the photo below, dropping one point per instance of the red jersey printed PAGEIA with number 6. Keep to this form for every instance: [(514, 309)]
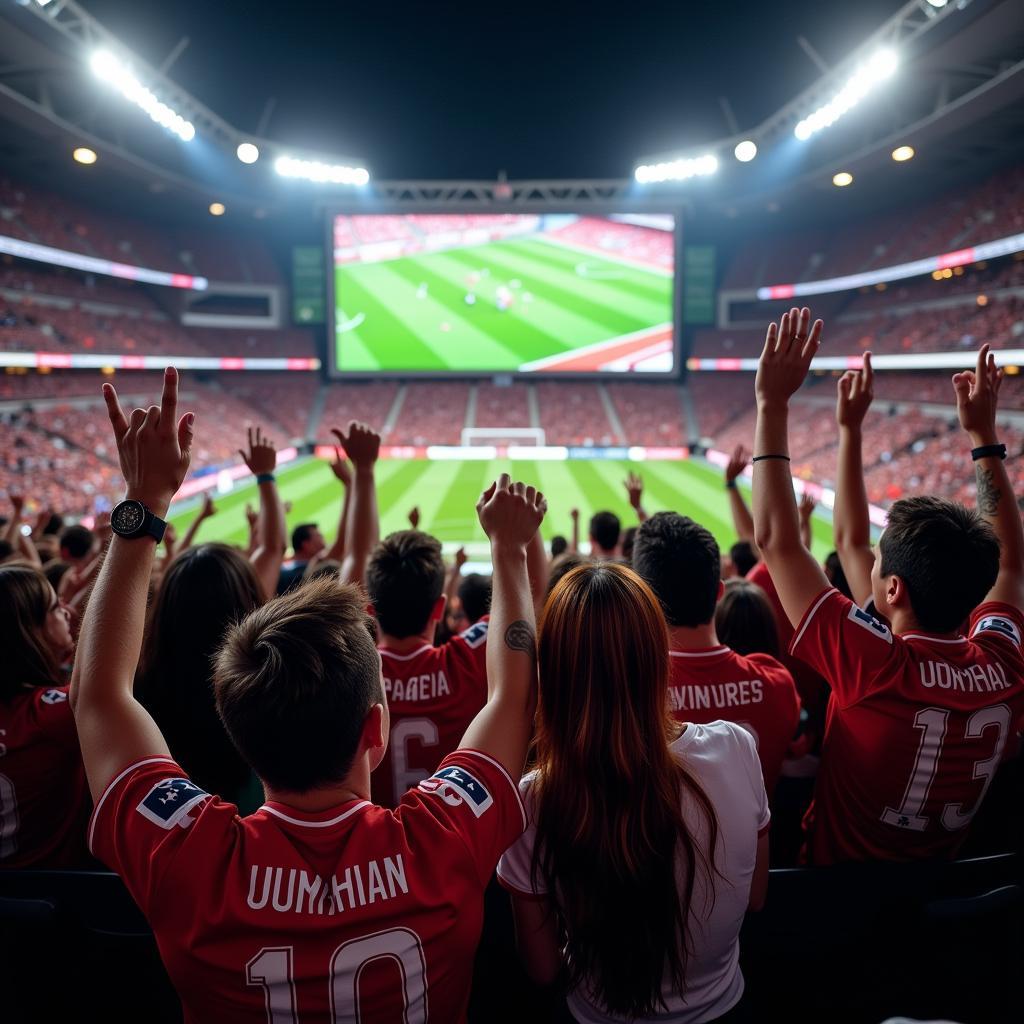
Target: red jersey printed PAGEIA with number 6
[(433, 694)]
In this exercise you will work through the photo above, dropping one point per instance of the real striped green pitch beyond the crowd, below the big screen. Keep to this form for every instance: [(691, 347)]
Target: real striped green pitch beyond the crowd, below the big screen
[(447, 492)]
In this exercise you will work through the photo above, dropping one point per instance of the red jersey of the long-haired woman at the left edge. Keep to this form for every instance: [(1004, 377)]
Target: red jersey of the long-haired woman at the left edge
[(45, 798)]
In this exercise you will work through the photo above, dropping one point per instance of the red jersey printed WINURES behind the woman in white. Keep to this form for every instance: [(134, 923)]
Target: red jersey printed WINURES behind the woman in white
[(755, 692)]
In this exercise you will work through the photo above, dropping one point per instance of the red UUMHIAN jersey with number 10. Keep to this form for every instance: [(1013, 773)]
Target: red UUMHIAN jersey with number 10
[(353, 914)]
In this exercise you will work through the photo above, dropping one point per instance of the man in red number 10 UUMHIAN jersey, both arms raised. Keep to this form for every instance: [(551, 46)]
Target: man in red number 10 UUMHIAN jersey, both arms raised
[(321, 906)]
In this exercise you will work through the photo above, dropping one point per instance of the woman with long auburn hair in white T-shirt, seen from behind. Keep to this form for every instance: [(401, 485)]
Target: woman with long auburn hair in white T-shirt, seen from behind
[(648, 839)]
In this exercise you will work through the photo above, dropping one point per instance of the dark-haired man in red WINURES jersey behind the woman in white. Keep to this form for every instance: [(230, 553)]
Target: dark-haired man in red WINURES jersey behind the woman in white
[(681, 563)]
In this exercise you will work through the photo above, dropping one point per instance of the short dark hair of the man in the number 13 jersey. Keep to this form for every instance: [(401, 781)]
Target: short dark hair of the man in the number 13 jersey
[(948, 557)]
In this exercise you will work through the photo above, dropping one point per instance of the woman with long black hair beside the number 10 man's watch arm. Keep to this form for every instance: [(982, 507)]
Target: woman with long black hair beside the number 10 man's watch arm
[(205, 590)]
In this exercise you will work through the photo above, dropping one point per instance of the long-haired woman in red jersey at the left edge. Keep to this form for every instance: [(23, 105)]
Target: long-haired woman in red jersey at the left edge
[(45, 800)]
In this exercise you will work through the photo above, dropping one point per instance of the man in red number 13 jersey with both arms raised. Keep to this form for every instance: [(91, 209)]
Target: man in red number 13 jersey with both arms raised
[(921, 716)]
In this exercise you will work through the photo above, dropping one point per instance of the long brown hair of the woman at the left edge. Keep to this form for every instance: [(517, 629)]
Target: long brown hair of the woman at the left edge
[(29, 660)]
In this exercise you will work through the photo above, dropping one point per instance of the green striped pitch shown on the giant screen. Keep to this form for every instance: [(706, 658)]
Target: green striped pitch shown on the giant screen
[(413, 315)]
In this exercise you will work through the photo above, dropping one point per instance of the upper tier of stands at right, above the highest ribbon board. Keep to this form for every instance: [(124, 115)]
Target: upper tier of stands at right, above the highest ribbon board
[(993, 209)]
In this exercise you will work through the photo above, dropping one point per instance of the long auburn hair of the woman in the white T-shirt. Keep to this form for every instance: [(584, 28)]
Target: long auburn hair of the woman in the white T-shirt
[(609, 791)]
